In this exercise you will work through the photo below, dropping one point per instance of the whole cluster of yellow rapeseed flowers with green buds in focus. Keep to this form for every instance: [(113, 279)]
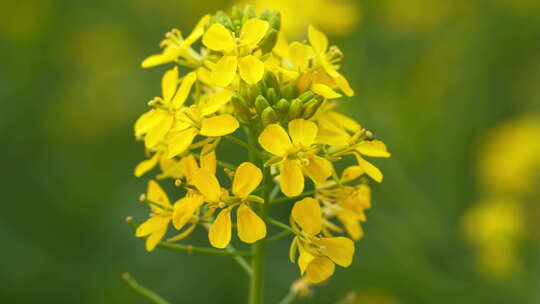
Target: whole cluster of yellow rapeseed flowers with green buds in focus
[(237, 72)]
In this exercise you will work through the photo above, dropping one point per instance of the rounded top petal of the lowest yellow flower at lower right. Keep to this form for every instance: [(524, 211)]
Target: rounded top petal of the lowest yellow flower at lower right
[(307, 213)]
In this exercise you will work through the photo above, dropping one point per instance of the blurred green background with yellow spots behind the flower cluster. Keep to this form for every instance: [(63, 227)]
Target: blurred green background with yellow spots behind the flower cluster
[(433, 79)]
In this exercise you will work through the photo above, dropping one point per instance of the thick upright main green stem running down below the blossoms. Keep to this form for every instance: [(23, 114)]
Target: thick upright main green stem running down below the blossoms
[(256, 294)]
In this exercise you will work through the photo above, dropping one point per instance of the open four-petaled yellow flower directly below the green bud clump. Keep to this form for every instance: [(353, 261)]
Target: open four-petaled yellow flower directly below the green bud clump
[(298, 157)]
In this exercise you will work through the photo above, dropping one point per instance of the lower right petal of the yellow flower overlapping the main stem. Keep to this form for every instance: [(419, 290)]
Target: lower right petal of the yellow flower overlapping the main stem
[(250, 226)]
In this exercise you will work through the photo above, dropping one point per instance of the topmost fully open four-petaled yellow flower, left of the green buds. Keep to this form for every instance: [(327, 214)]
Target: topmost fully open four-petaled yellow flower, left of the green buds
[(238, 52)]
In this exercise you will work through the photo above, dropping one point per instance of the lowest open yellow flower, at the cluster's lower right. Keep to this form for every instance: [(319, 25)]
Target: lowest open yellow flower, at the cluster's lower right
[(317, 255)]
